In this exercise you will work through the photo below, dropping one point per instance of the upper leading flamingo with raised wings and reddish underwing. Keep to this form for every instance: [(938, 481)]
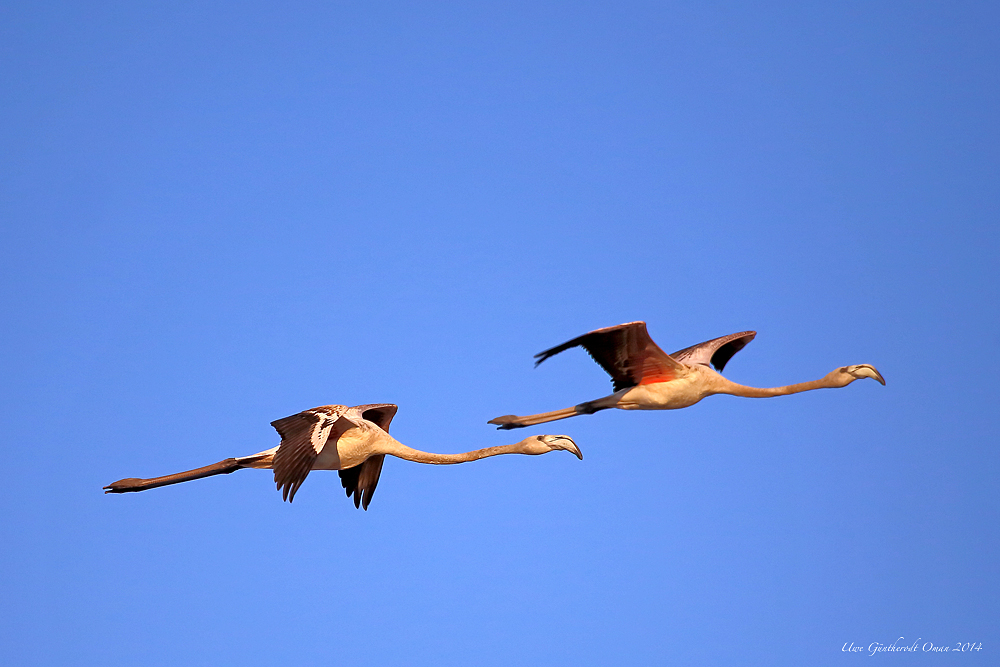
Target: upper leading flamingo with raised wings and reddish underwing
[(647, 378)]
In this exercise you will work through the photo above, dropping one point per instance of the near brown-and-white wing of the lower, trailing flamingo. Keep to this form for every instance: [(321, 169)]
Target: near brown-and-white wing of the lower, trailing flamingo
[(303, 437)]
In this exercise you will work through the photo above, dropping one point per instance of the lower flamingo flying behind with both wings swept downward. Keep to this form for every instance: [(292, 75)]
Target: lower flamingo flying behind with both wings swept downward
[(353, 441)]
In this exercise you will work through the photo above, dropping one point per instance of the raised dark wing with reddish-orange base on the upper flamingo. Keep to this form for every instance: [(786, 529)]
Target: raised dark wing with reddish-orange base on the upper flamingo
[(626, 353)]
